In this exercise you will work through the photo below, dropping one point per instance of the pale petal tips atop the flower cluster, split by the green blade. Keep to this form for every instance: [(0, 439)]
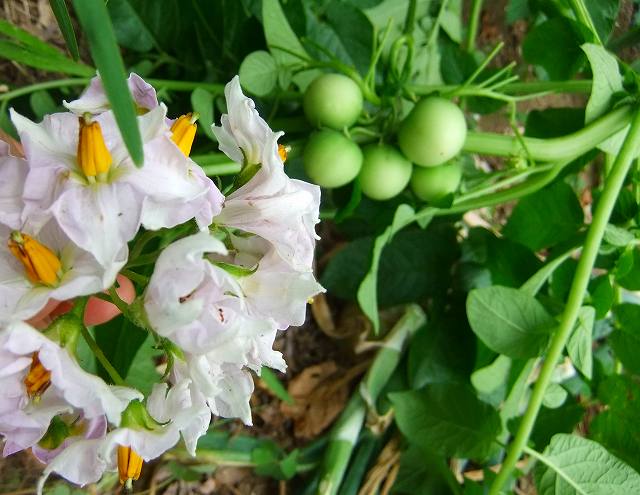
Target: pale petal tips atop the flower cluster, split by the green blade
[(94, 100)]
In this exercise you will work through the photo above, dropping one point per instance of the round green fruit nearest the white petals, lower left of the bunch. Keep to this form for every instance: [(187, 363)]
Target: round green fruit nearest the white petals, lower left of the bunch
[(331, 159)]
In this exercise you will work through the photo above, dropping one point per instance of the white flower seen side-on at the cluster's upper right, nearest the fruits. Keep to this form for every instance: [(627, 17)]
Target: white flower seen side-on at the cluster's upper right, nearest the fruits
[(283, 211)]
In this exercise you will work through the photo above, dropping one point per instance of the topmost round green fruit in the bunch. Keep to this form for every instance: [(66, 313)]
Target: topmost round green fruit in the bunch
[(333, 100)]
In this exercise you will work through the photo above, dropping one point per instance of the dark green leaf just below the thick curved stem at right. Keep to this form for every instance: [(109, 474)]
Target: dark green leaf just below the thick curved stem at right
[(546, 218)]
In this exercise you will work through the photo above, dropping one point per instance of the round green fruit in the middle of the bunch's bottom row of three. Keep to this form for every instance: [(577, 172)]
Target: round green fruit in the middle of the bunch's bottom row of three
[(385, 171)]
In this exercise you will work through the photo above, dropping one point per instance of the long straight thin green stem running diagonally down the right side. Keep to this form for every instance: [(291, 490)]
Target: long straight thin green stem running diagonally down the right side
[(613, 184)]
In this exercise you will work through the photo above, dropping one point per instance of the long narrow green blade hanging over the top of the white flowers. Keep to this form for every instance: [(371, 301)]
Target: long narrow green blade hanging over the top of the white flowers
[(97, 27)]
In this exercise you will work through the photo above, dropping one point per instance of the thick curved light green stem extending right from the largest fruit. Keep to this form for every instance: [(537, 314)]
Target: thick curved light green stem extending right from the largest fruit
[(552, 149)]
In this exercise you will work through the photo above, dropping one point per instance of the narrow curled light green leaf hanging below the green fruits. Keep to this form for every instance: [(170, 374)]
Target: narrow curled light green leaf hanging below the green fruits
[(367, 292)]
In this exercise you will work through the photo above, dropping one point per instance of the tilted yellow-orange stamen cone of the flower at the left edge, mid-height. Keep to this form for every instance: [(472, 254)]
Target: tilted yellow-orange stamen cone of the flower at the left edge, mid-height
[(40, 263)]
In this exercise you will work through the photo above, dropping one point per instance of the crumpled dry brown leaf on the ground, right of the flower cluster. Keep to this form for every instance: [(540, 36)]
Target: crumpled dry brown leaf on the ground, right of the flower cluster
[(320, 393)]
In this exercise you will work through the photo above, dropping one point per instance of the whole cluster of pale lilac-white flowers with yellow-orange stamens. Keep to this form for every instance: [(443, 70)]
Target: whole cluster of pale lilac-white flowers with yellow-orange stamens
[(239, 271)]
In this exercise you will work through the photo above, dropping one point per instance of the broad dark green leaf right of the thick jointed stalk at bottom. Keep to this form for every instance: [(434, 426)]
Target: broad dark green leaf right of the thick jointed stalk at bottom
[(448, 418)]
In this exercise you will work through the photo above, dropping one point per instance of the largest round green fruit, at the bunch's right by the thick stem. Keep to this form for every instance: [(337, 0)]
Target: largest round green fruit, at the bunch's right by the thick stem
[(433, 132)]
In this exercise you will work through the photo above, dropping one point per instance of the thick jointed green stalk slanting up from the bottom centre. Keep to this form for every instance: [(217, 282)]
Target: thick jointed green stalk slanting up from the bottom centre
[(344, 434)]
